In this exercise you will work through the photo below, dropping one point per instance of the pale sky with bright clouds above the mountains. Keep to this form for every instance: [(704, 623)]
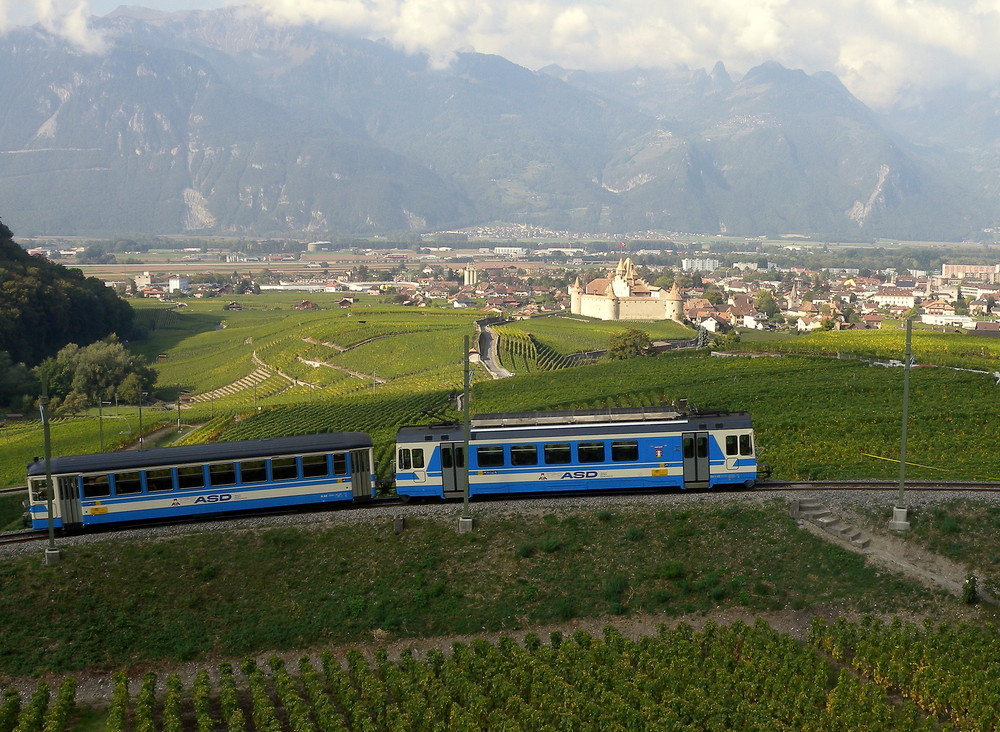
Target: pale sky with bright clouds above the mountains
[(883, 50)]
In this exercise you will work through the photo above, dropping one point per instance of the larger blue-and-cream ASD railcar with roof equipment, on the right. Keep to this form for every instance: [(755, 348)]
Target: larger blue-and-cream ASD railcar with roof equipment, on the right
[(620, 449)]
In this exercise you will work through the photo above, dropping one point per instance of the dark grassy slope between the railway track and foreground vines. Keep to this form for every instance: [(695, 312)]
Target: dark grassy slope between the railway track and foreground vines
[(125, 602)]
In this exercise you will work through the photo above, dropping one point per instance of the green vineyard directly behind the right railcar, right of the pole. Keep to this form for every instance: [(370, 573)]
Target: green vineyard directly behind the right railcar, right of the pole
[(815, 418)]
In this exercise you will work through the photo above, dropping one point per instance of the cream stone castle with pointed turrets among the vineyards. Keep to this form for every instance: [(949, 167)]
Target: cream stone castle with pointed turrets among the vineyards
[(623, 295)]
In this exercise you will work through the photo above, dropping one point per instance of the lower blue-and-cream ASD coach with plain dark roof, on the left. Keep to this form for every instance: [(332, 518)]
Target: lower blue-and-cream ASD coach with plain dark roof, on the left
[(194, 480)]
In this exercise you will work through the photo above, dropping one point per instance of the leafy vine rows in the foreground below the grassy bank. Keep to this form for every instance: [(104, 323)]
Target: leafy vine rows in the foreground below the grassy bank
[(848, 676)]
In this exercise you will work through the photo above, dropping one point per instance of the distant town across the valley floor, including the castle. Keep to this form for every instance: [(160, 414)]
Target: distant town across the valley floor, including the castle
[(505, 281)]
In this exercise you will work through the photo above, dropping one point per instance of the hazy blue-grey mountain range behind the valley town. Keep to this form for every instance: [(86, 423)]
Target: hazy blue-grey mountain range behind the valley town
[(216, 122)]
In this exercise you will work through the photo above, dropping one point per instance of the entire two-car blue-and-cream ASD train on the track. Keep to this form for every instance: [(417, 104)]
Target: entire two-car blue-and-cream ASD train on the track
[(539, 452)]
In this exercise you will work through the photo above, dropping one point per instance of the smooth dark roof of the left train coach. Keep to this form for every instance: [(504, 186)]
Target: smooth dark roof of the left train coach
[(181, 454)]
